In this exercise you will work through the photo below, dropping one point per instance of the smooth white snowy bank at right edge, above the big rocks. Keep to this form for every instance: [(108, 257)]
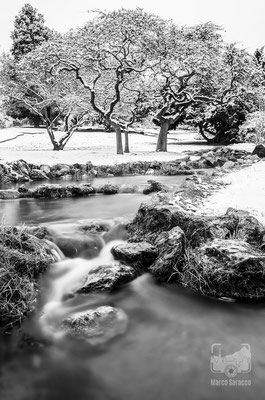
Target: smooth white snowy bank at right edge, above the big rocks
[(245, 192)]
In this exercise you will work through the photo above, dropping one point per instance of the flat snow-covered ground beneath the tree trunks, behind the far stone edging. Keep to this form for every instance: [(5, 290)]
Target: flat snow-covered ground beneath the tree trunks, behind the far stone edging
[(33, 145)]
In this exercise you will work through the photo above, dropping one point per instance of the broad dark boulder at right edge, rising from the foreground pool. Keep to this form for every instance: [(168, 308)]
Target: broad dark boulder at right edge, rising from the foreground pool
[(226, 268)]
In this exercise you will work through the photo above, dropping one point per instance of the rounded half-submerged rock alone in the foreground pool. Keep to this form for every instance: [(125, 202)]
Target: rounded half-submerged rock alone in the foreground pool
[(97, 326)]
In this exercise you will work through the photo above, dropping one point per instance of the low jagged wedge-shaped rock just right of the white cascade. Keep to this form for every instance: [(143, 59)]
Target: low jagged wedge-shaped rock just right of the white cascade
[(108, 277)]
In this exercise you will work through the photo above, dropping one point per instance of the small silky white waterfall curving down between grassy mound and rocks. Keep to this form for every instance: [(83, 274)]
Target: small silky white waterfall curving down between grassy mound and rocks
[(62, 283)]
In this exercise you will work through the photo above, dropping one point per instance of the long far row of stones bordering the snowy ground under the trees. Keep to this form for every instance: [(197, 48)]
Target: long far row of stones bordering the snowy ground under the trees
[(223, 157)]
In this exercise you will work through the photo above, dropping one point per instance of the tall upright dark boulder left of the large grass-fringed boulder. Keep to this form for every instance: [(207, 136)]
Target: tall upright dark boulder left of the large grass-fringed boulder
[(171, 248)]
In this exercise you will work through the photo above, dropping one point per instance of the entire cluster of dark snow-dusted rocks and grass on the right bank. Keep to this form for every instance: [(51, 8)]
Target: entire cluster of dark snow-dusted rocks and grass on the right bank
[(217, 256)]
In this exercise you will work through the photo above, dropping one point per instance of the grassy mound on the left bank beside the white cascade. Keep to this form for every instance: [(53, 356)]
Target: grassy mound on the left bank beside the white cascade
[(22, 258)]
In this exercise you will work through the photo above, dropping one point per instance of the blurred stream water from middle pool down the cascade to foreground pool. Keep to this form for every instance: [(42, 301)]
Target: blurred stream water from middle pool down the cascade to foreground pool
[(165, 352)]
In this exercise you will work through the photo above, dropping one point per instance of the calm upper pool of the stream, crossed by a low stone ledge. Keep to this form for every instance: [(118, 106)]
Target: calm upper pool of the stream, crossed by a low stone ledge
[(32, 211)]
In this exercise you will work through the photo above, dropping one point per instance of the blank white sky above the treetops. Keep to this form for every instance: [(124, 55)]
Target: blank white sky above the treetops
[(243, 21)]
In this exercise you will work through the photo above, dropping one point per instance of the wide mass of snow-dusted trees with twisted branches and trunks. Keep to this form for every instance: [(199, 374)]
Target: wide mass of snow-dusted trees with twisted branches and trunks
[(127, 65)]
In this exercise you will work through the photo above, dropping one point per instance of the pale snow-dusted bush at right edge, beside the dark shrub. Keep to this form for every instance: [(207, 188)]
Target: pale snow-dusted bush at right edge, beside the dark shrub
[(253, 129)]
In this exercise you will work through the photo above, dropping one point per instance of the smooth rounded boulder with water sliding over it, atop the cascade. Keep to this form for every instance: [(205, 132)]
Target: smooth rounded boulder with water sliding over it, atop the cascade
[(79, 245)]
